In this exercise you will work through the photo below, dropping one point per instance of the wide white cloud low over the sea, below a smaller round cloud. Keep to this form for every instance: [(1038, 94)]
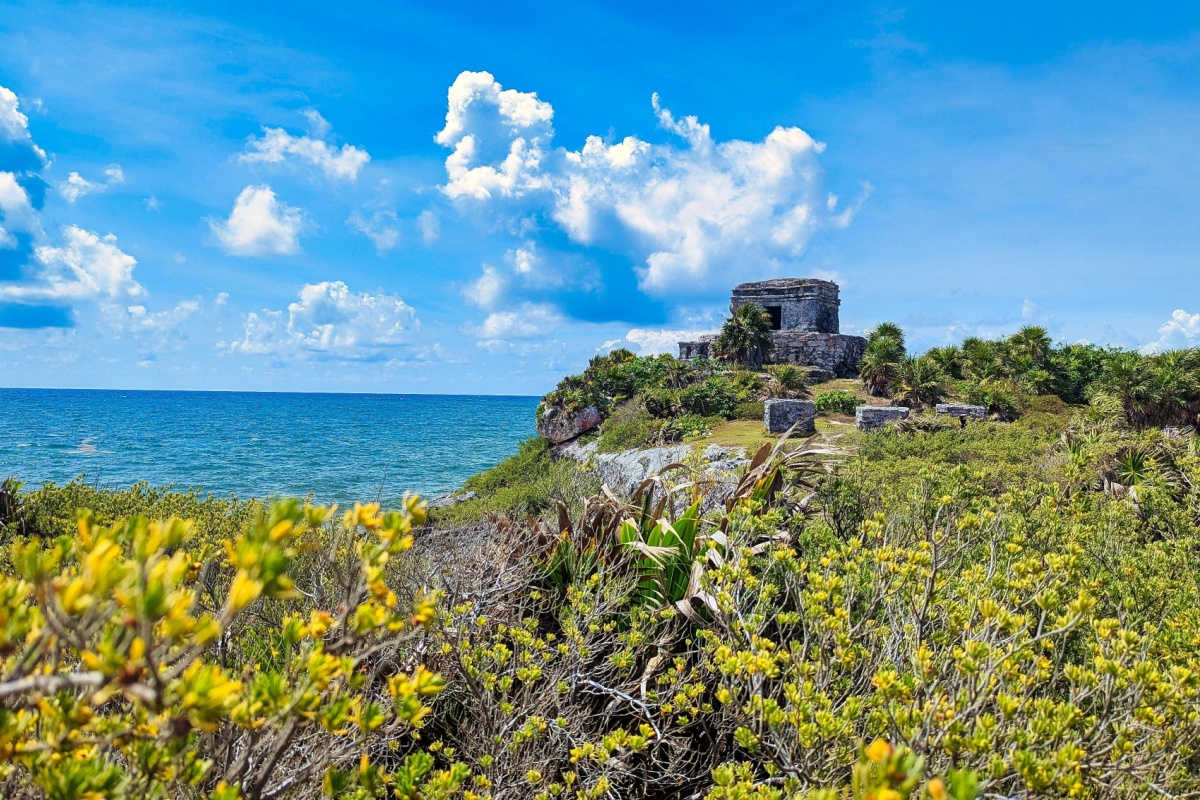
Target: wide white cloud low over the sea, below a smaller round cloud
[(331, 322)]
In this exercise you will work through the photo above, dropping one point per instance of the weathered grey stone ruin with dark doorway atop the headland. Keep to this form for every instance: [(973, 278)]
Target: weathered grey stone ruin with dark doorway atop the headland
[(805, 321)]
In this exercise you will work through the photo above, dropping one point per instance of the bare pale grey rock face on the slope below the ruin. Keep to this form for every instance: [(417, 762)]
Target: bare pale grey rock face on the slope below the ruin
[(625, 471)]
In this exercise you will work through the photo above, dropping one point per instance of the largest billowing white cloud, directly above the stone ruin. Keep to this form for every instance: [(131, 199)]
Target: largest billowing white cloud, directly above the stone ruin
[(692, 216)]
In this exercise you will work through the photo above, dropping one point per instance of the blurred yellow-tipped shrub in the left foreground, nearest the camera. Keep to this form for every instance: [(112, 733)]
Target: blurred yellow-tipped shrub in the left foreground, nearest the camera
[(122, 673)]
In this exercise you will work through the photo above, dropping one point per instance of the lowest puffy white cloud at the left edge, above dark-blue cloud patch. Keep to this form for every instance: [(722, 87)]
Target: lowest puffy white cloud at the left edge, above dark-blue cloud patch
[(86, 267)]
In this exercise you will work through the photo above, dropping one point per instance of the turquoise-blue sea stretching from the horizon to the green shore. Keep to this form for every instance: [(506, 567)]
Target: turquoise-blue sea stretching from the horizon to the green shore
[(340, 448)]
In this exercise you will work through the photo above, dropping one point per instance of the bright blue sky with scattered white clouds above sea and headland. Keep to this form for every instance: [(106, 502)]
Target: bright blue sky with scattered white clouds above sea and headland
[(477, 199)]
